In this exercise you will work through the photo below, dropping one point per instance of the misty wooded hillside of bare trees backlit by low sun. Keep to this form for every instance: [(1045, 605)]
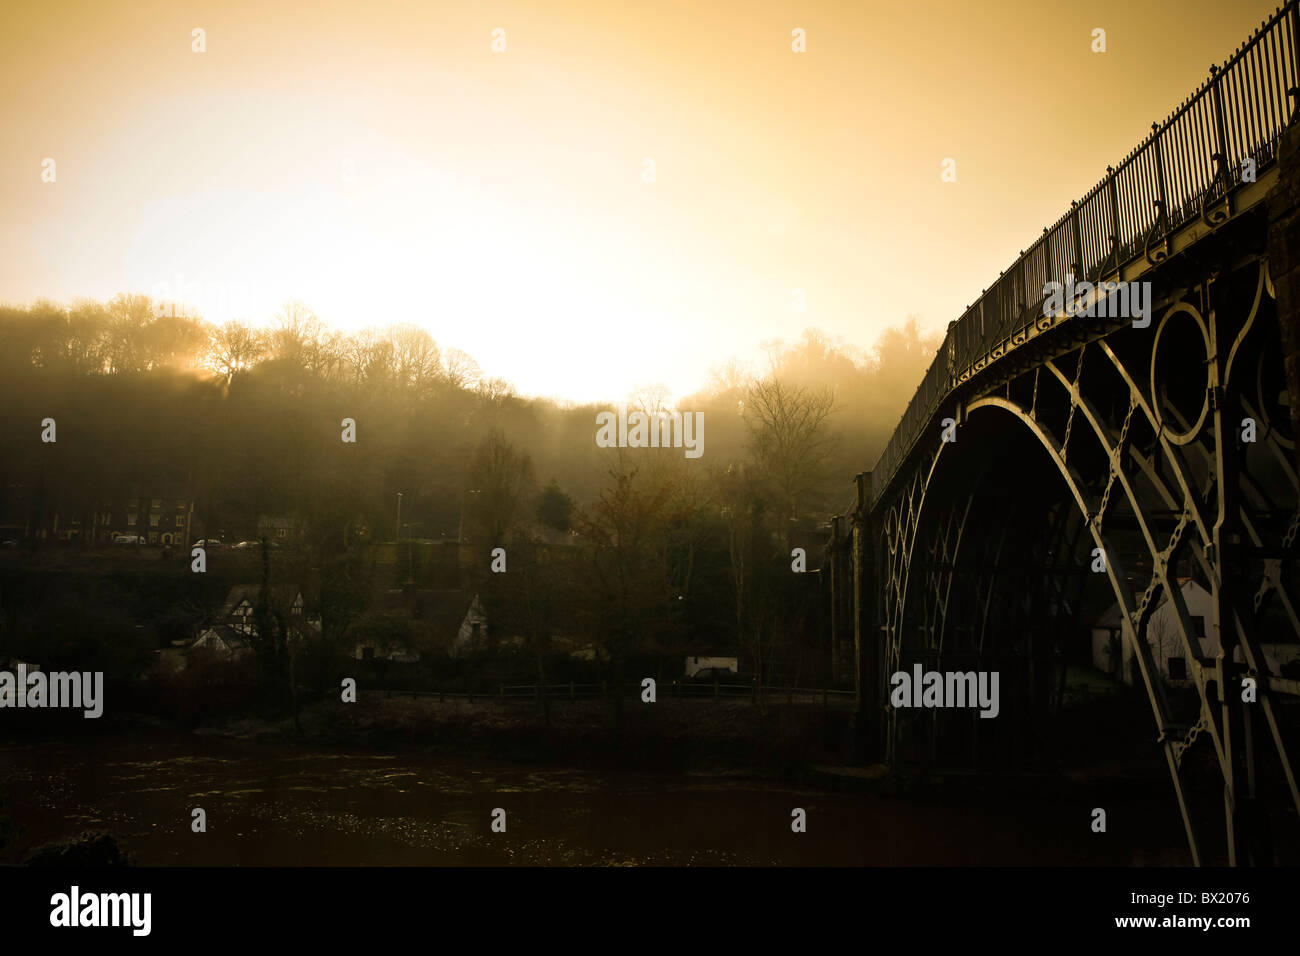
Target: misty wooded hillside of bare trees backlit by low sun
[(630, 552)]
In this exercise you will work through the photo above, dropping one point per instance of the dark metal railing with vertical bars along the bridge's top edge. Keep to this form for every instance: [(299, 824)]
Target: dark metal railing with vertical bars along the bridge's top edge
[(1184, 167)]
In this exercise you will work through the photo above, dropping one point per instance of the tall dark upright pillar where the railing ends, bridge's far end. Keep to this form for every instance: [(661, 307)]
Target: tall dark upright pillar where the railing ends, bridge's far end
[(866, 633)]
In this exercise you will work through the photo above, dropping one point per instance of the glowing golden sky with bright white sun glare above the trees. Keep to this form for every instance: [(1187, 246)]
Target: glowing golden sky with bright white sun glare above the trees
[(379, 162)]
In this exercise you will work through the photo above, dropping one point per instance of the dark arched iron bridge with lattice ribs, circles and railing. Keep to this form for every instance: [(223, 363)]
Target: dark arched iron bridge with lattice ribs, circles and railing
[(1065, 487)]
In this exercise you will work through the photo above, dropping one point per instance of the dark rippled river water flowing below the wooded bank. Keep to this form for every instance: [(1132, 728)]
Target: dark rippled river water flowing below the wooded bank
[(272, 806)]
